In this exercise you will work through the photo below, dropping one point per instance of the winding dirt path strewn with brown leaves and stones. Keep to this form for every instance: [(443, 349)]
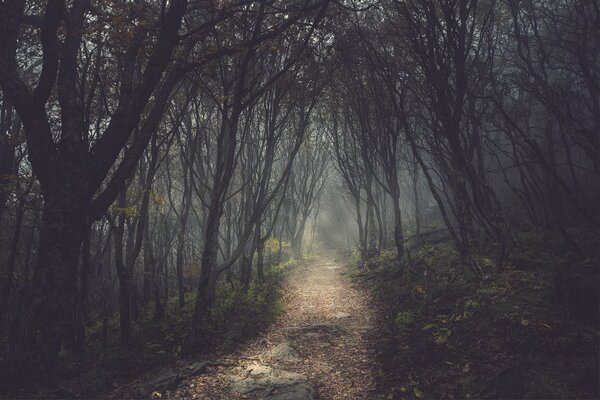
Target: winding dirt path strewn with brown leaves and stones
[(321, 344)]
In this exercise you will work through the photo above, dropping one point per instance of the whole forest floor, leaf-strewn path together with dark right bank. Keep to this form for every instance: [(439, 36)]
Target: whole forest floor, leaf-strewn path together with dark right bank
[(381, 330)]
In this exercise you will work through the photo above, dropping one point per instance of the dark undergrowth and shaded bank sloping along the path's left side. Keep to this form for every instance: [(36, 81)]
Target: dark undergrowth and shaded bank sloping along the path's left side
[(235, 317)]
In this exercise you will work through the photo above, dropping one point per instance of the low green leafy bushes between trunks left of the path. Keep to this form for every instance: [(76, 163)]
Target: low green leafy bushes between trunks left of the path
[(234, 316)]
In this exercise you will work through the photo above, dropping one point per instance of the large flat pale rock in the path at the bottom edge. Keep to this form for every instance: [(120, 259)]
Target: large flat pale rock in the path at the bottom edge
[(266, 382)]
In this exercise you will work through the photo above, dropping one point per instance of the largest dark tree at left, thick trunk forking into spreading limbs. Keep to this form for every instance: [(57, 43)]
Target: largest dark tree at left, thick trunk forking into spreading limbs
[(70, 161)]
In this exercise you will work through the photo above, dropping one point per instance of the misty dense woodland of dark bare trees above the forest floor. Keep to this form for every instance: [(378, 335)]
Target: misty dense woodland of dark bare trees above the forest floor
[(156, 155)]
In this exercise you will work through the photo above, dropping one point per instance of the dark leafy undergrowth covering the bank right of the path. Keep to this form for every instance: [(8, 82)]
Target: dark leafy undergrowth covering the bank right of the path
[(449, 335)]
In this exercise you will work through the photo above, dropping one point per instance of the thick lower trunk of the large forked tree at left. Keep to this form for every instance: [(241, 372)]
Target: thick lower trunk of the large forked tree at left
[(54, 280)]
